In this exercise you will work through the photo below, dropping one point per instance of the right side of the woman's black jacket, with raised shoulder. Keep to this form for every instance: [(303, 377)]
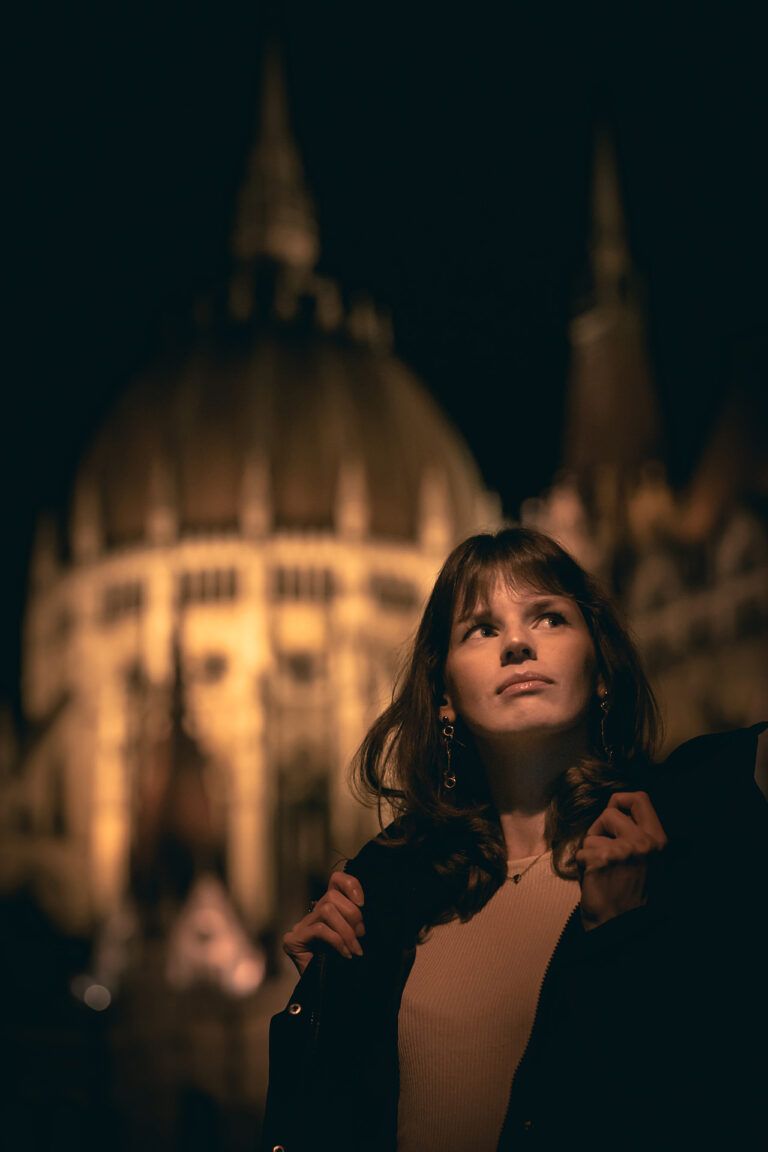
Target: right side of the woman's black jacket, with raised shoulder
[(648, 1026)]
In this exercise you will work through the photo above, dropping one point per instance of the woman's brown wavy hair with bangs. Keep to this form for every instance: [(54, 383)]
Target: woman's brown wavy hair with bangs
[(401, 761)]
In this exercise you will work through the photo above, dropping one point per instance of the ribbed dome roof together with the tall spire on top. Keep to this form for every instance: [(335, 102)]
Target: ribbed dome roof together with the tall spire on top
[(291, 410)]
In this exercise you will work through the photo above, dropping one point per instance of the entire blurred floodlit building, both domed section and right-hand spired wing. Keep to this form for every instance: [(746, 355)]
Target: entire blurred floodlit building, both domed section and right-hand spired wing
[(253, 535)]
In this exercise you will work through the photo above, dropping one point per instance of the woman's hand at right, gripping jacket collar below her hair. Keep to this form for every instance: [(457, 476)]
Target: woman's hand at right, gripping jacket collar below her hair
[(618, 853)]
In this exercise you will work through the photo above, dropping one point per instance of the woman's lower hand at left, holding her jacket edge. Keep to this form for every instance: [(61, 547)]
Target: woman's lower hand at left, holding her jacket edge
[(336, 920)]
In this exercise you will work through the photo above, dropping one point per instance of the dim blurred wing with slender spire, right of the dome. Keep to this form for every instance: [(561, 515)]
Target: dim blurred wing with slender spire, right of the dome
[(690, 566)]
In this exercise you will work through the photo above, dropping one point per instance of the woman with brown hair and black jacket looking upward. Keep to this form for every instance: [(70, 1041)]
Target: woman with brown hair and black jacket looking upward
[(536, 951)]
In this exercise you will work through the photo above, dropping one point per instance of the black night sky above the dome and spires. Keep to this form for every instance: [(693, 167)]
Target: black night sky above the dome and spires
[(450, 162)]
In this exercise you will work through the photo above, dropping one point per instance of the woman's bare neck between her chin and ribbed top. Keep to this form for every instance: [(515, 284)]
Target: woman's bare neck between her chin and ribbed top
[(521, 778)]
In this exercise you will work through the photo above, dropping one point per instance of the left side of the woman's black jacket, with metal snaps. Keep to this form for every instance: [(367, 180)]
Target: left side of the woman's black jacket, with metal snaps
[(333, 1051)]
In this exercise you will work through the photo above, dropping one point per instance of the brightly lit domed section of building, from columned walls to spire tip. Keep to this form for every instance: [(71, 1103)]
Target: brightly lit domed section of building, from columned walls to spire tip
[(253, 535)]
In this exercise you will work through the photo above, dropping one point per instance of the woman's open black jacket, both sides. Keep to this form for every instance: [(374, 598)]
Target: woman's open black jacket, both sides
[(648, 1032)]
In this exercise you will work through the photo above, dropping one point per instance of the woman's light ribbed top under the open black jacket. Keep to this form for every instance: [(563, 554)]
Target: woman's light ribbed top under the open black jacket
[(468, 1010)]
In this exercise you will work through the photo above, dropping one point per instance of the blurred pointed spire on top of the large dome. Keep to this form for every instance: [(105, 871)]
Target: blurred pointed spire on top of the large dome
[(276, 216)]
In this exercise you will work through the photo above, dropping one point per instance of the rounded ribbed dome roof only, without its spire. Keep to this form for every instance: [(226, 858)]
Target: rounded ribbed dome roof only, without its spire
[(286, 420)]
